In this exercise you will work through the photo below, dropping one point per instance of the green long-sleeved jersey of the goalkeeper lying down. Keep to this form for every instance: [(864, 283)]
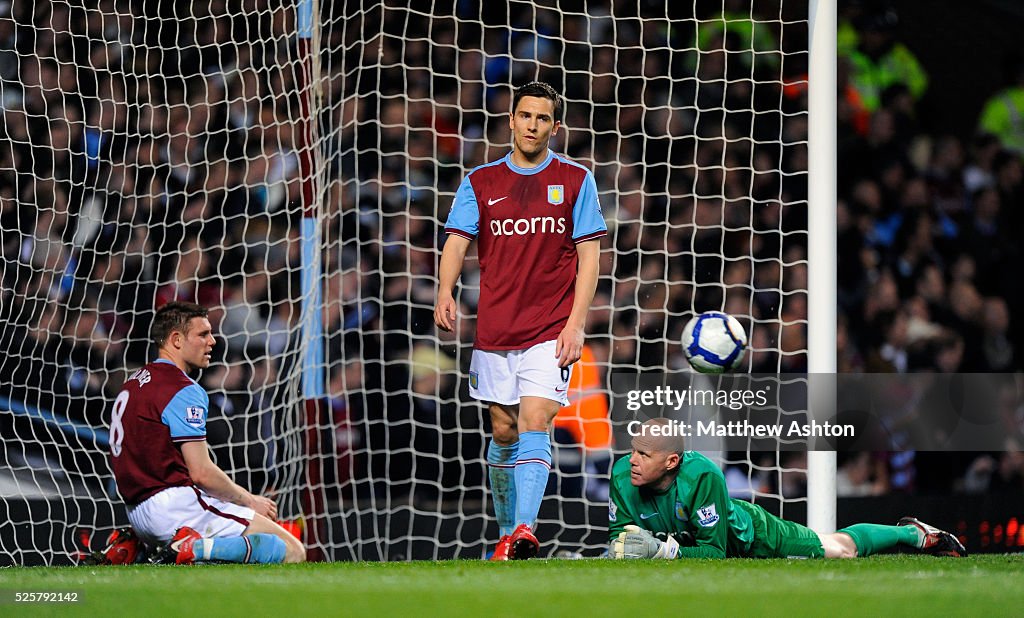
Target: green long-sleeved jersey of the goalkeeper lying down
[(698, 504)]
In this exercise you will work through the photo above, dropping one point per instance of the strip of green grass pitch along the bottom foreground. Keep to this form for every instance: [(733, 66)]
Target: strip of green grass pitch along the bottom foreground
[(883, 586)]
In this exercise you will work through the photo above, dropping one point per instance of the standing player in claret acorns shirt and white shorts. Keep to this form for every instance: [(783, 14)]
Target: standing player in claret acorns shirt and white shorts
[(538, 224)]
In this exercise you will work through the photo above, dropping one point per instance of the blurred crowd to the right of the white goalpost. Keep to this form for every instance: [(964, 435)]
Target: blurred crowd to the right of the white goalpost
[(929, 243)]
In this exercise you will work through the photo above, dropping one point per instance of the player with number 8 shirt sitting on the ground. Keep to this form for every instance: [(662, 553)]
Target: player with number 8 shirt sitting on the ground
[(174, 492)]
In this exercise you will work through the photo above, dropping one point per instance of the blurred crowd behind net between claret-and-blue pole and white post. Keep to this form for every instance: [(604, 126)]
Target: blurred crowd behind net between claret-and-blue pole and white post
[(697, 149)]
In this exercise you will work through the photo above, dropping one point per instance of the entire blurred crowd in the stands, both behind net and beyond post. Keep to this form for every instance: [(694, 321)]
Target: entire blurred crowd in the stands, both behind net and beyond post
[(160, 157)]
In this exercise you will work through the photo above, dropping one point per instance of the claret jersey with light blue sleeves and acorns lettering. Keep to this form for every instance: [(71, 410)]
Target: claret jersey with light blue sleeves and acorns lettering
[(527, 223)]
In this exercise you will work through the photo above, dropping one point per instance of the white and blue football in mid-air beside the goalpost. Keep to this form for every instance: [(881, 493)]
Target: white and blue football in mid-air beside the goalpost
[(714, 342)]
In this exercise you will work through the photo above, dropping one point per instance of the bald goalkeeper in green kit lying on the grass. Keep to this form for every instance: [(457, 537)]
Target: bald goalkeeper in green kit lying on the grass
[(669, 503)]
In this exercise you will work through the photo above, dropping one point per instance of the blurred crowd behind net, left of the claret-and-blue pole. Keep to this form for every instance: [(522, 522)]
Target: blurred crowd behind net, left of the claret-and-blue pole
[(147, 157)]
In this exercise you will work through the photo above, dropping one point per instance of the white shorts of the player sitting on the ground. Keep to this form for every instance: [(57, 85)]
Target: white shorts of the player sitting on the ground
[(159, 517)]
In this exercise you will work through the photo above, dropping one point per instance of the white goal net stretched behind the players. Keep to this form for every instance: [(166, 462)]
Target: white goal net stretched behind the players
[(291, 167)]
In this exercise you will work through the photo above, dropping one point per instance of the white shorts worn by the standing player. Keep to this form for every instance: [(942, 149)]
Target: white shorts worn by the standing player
[(505, 377)]
